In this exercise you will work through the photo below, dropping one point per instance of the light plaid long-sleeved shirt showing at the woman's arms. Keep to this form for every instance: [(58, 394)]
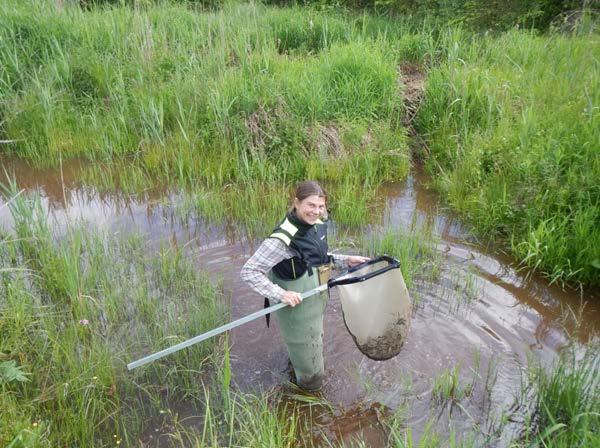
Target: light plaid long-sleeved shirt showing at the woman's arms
[(269, 253)]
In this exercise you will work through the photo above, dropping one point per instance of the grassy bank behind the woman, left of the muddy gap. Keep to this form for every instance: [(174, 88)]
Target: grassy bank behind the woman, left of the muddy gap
[(245, 94)]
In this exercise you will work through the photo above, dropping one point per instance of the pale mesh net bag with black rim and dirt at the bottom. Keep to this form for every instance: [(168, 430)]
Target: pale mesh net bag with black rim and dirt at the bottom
[(376, 307)]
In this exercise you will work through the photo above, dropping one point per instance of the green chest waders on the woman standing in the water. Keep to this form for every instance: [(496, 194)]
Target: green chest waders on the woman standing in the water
[(302, 330)]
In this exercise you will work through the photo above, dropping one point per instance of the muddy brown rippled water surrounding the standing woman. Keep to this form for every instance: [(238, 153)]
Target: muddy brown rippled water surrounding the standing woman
[(480, 314)]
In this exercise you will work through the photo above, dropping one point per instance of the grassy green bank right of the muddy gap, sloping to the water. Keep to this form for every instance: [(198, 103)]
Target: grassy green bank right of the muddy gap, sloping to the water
[(514, 137)]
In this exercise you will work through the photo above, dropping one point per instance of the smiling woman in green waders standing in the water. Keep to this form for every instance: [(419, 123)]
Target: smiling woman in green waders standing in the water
[(292, 260)]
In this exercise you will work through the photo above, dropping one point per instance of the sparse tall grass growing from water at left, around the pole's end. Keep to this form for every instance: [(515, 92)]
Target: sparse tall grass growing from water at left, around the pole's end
[(74, 308)]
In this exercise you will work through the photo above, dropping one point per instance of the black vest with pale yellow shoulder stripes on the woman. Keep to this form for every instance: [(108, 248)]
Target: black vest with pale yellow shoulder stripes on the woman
[(307, 242)]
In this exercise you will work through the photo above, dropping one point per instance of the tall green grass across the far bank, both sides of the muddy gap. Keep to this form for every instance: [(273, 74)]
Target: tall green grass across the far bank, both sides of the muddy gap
[(251, 95)]
